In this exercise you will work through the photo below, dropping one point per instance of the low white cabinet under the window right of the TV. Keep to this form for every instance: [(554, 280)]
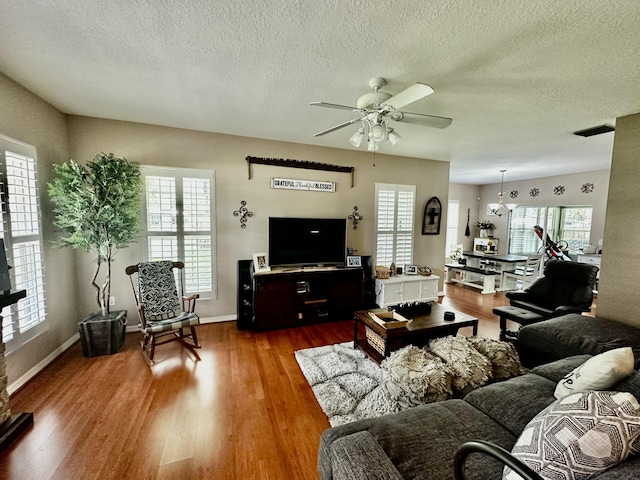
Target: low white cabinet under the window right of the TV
[(406, 288)]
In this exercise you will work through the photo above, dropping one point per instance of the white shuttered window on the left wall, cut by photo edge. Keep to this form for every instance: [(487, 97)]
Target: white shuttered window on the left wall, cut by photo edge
[(22, 235)]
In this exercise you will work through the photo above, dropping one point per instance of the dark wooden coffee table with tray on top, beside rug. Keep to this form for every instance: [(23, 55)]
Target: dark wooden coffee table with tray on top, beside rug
[(379, 341)]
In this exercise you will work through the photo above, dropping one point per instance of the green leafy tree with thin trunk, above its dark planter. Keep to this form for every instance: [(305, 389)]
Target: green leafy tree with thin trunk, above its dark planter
[(97, 205)]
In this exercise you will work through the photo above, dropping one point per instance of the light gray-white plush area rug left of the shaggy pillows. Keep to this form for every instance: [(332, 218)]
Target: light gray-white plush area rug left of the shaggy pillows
[(346, 383)]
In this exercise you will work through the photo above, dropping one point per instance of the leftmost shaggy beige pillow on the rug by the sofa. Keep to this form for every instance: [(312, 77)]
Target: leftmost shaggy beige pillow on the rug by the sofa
[(414, 376)]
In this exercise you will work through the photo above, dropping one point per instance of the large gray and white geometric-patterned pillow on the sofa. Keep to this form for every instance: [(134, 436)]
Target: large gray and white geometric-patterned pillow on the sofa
[(579, 436)]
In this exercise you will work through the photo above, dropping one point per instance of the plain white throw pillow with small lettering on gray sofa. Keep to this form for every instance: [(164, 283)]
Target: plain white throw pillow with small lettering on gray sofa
[(598, 373)]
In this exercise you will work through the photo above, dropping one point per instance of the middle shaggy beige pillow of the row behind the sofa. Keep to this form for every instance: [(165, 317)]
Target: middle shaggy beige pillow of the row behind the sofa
[(469, 367)]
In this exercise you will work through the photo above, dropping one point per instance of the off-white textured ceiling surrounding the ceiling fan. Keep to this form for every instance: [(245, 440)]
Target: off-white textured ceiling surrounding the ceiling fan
[(516, 76)]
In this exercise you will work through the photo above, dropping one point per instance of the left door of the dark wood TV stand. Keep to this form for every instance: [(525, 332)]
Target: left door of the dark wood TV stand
[(274, 302)]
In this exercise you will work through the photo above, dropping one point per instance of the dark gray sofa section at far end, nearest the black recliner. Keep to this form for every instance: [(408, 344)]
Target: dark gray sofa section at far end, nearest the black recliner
[(574, 334)]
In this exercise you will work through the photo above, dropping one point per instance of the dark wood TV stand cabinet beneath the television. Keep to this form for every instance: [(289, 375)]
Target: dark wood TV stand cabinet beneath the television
[(292, 297)]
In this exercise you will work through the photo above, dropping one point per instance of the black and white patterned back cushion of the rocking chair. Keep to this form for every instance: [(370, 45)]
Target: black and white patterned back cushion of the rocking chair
[(158, 292)]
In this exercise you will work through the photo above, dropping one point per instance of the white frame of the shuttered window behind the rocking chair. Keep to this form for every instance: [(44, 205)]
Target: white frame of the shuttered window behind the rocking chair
[(179, 175)]
